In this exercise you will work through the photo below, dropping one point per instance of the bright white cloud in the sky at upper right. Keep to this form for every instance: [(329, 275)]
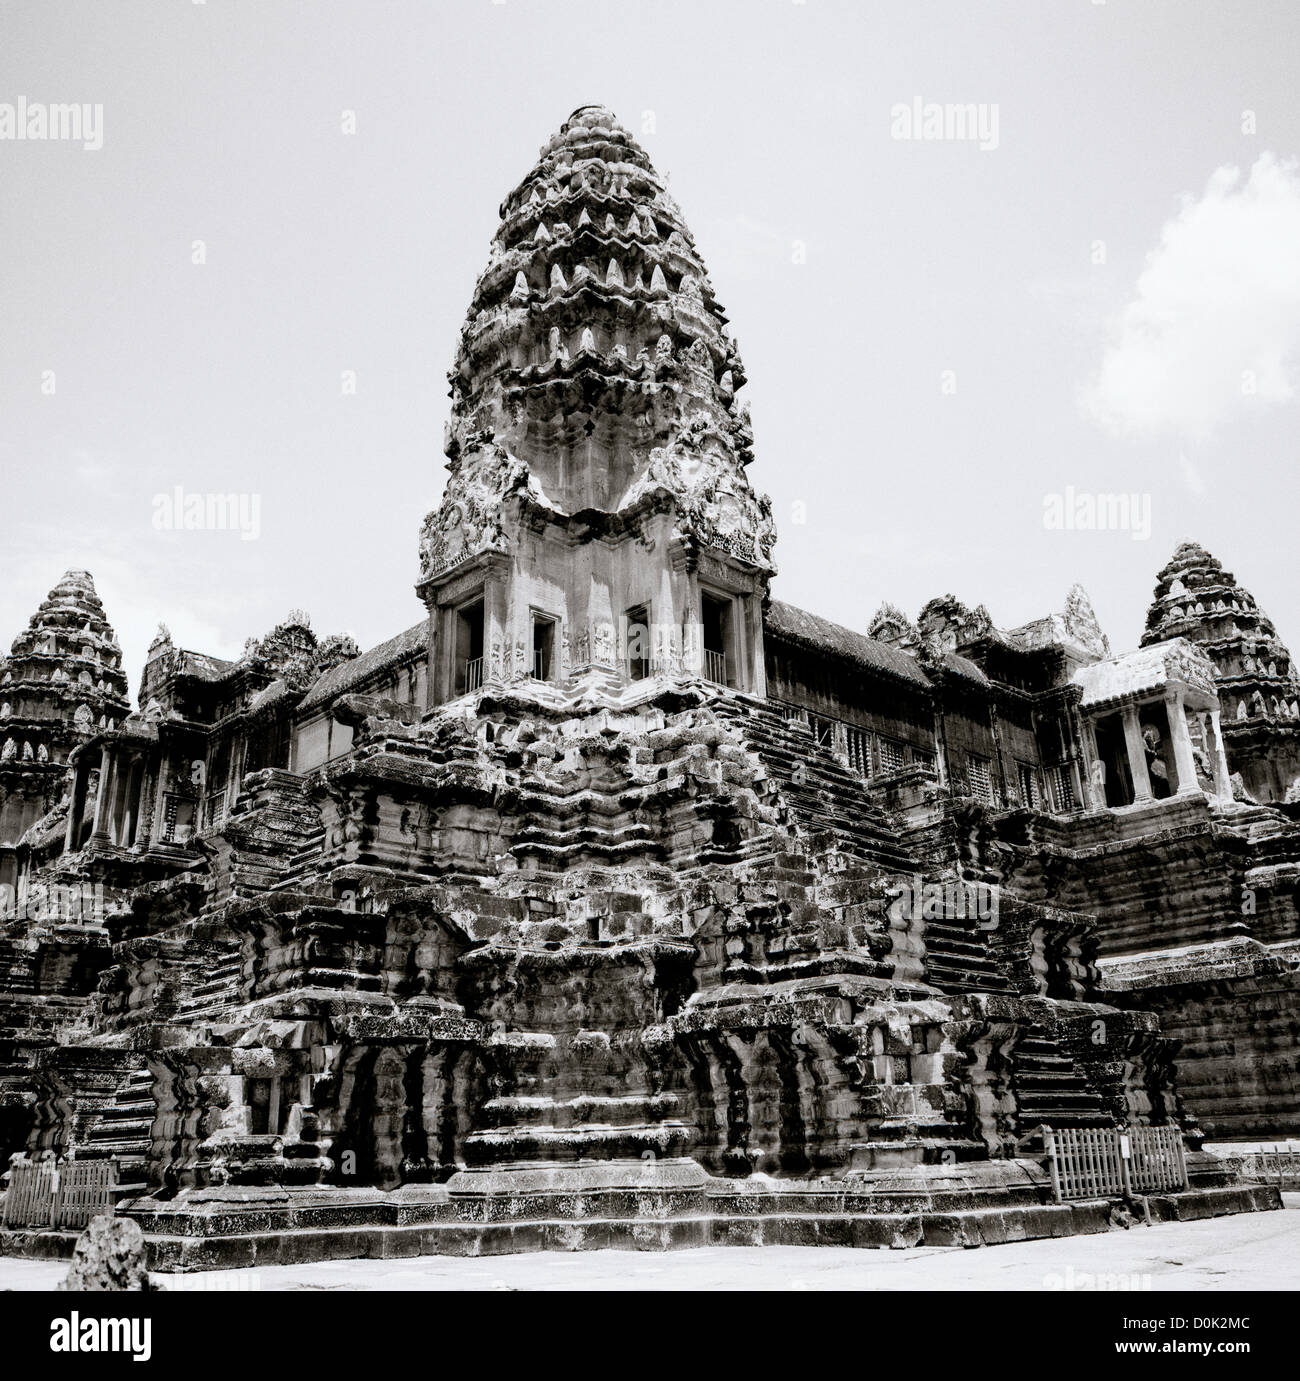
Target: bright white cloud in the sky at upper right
[(1215, 322)]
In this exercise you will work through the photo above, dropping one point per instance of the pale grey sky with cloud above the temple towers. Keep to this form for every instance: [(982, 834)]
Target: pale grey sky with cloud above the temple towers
[(255, 278)]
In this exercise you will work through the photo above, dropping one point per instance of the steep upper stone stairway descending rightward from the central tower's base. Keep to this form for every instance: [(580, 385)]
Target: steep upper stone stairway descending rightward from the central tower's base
[(827, 802)]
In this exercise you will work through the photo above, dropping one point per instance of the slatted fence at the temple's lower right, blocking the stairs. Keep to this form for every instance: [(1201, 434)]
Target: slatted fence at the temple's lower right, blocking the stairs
[(1114, 1162)]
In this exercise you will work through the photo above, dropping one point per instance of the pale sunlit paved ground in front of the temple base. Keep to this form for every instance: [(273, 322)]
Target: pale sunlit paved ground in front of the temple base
[(1248, 1252)]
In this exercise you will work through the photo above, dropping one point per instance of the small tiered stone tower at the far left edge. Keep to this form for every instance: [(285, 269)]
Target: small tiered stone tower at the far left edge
[(61, 683)]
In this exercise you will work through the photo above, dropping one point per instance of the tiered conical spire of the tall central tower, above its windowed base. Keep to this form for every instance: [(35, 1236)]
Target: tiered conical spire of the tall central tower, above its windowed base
[(596, 360)]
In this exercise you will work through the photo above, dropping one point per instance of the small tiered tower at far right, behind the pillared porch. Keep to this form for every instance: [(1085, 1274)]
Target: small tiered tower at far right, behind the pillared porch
[(1197, 599)]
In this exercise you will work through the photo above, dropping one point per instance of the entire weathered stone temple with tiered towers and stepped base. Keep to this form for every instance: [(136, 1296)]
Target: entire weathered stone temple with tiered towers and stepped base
[(615, 902)]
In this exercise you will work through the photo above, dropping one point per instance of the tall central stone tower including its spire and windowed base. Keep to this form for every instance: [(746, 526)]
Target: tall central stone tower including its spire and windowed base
[(598, 519)]
